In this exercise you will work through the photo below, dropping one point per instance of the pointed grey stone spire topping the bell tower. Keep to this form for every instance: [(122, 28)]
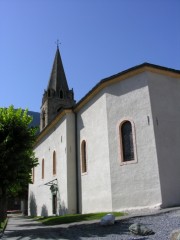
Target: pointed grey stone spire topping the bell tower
[(57, 79)]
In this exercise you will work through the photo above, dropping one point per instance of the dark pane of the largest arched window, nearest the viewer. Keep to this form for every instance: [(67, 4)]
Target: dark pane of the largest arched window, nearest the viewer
[(127, 141)]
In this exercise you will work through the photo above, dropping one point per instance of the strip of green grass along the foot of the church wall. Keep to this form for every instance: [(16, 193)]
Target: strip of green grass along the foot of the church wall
[(54, 220)]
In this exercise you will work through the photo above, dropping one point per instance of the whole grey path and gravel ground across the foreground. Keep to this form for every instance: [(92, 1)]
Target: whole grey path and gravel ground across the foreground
[(163, 224)]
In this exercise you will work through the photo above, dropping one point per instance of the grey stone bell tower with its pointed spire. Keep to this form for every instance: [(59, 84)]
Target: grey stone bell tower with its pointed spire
[(57, 95)]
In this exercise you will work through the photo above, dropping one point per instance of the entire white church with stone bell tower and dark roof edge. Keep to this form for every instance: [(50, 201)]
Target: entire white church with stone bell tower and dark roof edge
[(115, 149)]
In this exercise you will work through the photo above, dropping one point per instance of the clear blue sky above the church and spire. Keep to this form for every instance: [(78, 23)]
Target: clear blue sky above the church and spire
[(99, 38)]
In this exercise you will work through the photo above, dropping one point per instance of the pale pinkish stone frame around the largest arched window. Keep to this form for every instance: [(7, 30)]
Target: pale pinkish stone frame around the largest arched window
[(122, 161)]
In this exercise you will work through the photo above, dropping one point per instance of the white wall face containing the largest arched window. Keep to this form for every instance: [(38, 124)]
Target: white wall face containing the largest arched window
[(136, 184)]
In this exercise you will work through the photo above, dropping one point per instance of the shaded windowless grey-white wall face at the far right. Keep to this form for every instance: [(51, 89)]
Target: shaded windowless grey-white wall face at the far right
[(165, 101)]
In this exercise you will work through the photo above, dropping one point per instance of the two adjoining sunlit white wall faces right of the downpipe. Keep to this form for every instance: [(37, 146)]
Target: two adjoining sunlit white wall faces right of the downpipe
[(108, 184)]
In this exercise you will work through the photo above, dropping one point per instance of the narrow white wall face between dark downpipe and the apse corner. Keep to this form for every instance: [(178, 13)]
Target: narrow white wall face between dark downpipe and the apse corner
[(94, 185)]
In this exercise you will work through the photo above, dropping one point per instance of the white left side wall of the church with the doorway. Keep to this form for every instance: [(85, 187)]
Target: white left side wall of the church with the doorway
[(55, 140)]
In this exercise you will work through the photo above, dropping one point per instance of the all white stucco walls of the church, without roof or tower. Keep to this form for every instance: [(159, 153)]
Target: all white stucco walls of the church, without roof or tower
[(151, 102)]
